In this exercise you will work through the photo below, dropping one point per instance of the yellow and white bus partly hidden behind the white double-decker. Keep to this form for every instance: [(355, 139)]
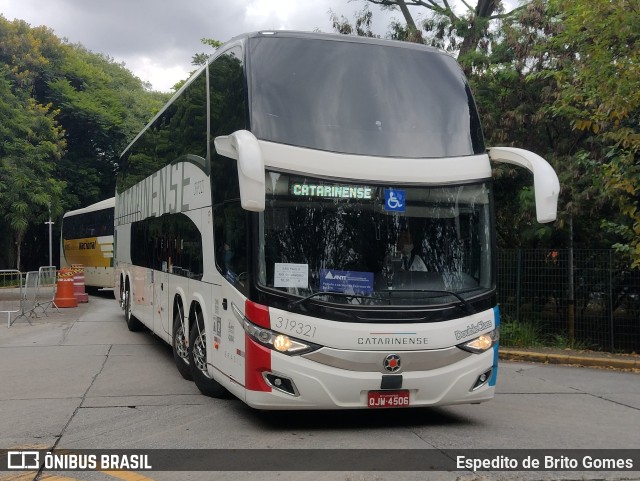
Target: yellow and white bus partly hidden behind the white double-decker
[(87, 239)]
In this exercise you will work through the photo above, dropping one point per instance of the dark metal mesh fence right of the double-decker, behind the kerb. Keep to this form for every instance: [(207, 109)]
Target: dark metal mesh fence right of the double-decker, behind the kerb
[(581, 298)]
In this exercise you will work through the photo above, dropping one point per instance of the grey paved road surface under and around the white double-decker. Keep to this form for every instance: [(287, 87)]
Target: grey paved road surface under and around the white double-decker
[(80, 380)]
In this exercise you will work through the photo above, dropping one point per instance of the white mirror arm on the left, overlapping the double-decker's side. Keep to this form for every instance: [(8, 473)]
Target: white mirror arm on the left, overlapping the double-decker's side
[(243, 146)]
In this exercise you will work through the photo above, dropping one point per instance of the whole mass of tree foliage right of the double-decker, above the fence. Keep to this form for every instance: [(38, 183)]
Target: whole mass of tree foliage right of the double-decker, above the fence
[(560, 78)]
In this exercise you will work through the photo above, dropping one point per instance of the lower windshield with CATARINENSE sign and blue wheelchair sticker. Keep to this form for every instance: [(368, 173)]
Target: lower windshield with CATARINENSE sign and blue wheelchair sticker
[(381, 244)]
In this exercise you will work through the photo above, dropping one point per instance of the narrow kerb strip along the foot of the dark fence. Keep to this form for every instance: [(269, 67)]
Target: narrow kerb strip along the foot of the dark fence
[(572, 357)]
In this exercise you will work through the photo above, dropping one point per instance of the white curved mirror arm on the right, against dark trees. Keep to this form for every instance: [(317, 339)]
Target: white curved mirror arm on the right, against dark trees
[(545, 180)]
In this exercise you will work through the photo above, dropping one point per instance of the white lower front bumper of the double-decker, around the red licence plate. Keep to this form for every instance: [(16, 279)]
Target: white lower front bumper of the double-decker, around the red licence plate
[(300, 383)]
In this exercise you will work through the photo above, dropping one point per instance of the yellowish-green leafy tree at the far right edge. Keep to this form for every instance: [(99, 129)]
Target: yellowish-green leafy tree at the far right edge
[(598, 92)]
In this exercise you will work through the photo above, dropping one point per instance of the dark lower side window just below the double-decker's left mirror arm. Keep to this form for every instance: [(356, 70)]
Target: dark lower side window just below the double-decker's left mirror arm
[(231, 243)]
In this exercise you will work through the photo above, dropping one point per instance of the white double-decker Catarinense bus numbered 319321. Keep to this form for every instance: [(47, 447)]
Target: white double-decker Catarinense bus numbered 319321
[(309, 223)]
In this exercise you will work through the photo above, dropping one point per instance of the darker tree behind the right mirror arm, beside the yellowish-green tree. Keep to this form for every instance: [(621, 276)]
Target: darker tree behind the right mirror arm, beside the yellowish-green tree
[(515, 97)]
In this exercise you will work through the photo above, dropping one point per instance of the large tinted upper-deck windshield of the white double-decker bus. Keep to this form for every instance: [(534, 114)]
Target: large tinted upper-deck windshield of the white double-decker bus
[(352, 98)]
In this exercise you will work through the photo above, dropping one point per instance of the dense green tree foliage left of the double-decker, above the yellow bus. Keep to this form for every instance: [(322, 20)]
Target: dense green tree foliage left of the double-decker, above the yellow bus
[(65, 115)]
